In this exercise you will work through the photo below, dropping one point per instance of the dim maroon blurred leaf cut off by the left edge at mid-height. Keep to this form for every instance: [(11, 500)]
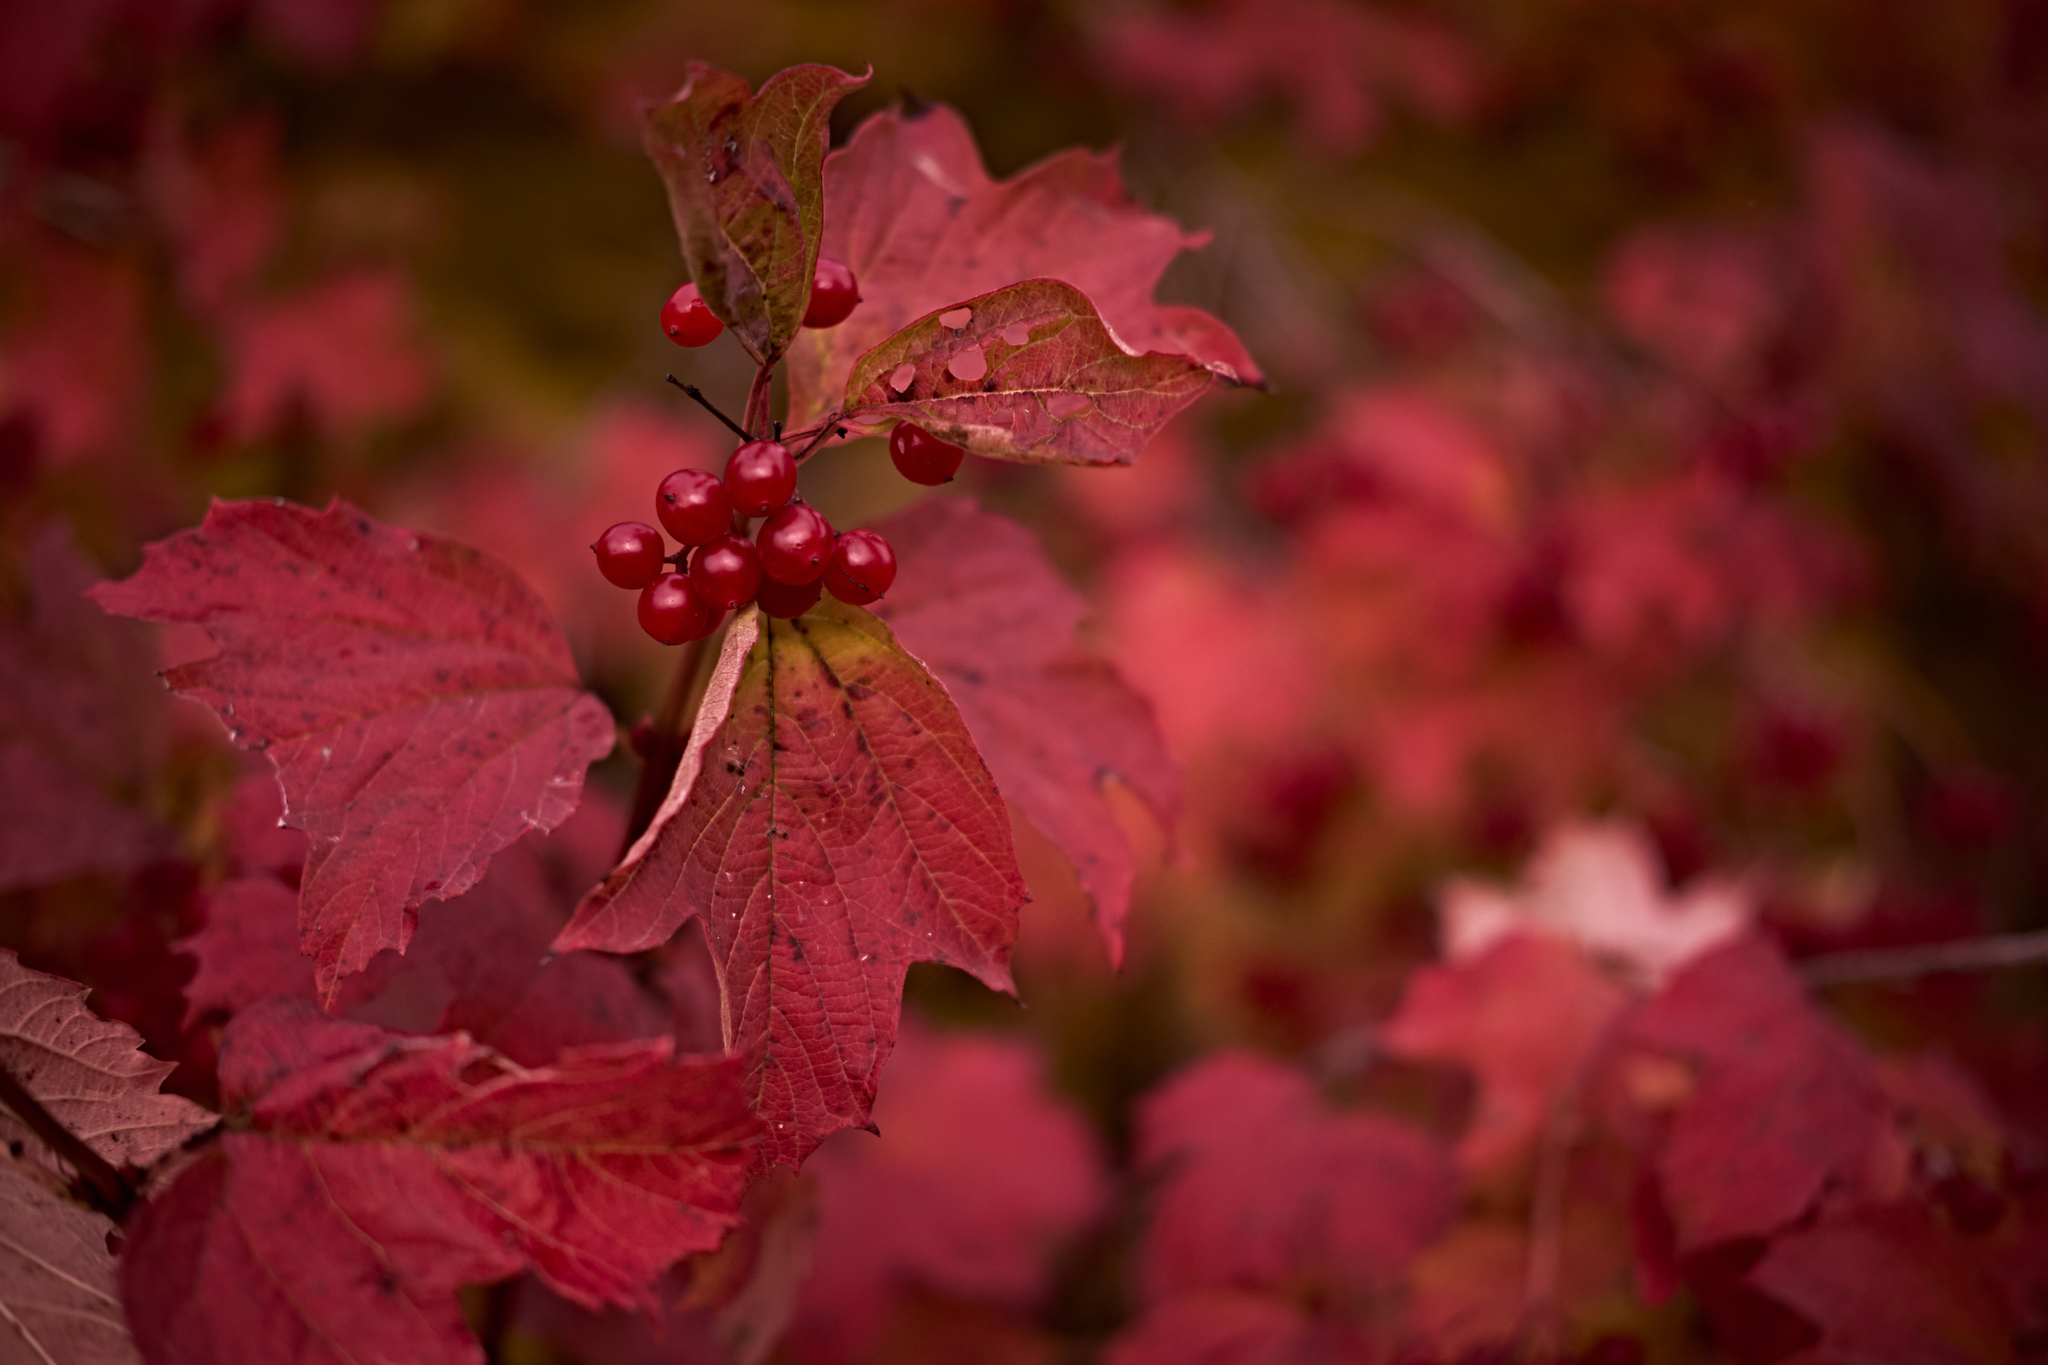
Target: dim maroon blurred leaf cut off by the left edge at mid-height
[(81, 730)]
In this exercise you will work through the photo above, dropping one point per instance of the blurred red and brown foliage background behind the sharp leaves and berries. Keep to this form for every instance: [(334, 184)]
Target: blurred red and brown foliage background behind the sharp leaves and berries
[(1629, 601)]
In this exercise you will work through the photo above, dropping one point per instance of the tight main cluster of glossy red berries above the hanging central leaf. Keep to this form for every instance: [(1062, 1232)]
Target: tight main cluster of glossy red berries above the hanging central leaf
[(785, 568)]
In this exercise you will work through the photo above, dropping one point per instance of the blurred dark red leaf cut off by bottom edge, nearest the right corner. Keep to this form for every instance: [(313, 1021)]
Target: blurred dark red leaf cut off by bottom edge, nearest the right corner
[(1889, 1286)]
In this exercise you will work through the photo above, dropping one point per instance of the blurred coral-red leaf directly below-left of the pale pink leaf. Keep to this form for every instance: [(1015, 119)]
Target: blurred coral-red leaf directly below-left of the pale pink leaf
[(1525, 1018)]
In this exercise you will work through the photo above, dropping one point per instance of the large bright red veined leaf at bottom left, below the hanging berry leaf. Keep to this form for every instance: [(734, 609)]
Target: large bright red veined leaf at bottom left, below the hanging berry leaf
[(378, 1174)]
